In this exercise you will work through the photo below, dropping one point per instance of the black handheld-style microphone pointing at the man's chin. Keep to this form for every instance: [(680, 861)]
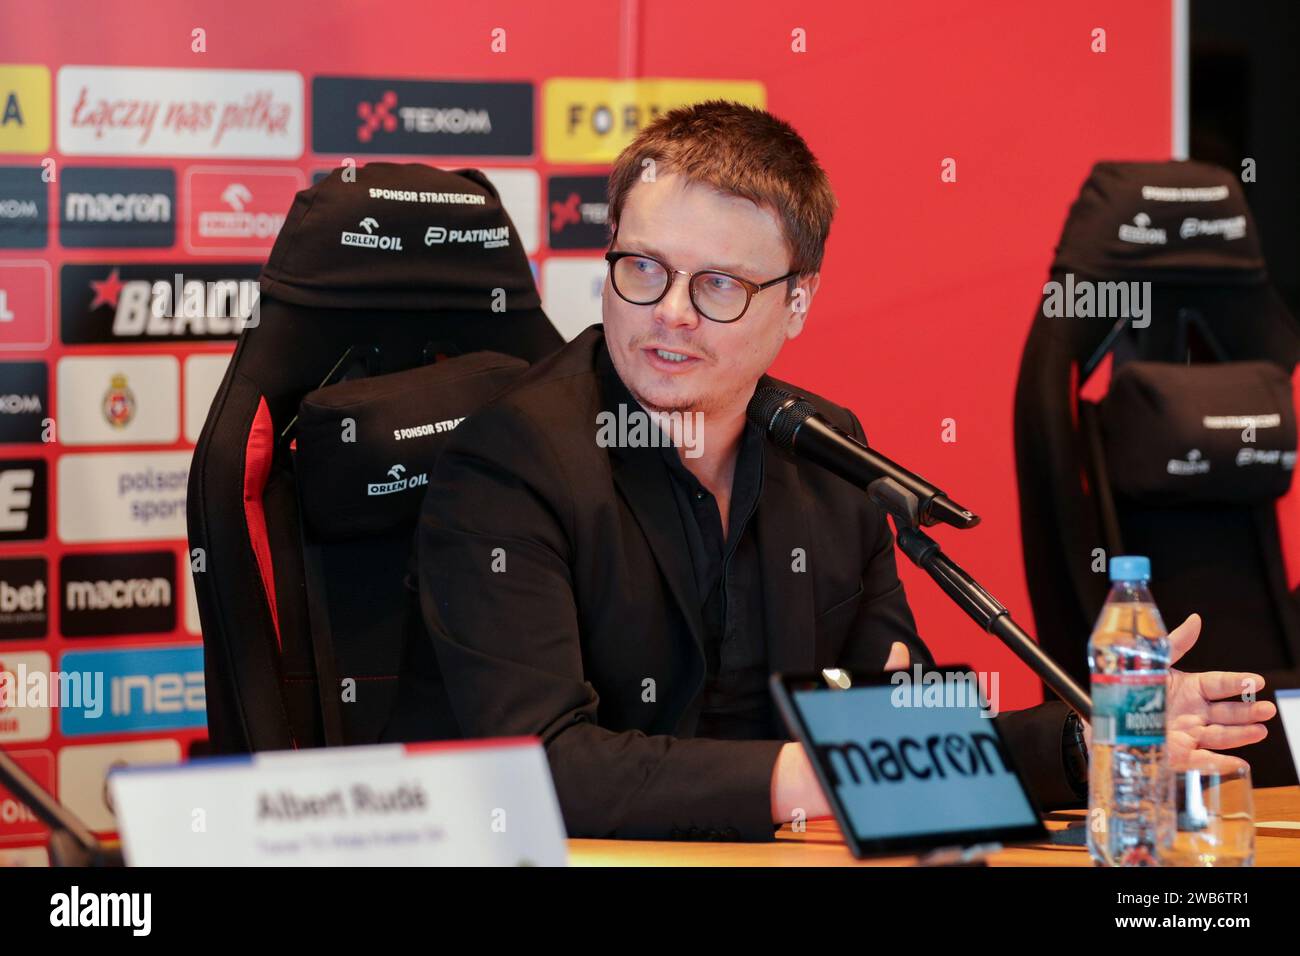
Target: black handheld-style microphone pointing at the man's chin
[(795, 426)]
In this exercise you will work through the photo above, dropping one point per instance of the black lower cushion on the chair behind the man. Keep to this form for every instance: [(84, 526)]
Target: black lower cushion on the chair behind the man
[(366, 448)]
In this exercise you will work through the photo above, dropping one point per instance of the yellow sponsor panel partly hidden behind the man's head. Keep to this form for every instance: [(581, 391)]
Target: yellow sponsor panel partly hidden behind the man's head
[(592, 120)]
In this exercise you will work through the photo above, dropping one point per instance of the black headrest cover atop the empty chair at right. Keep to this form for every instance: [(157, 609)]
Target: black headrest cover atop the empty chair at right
[(1180, 222)]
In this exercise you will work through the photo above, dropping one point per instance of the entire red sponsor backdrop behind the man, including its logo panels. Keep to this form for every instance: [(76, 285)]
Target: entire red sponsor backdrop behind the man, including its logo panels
[(149, 154)]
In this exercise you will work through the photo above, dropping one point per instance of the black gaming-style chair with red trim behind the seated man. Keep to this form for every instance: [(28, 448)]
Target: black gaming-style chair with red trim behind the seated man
[(397, 297)]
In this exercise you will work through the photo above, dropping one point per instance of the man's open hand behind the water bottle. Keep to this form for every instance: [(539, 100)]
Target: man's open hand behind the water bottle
[(1202, 715)]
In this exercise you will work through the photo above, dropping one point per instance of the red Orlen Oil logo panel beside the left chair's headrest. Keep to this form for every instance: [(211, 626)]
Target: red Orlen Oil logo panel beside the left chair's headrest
[(236, 210)]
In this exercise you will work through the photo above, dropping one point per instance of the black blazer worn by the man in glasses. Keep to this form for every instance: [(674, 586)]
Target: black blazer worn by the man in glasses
[(557, 591)]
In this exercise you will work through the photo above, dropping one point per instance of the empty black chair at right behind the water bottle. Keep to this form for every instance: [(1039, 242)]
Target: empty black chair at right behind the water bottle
[(1159, 466)]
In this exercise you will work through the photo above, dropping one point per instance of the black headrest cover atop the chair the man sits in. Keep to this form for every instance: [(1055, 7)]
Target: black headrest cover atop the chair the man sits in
[(392, 236)]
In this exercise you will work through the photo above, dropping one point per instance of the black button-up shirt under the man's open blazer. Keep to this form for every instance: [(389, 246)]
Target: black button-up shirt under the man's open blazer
[(736, 699)]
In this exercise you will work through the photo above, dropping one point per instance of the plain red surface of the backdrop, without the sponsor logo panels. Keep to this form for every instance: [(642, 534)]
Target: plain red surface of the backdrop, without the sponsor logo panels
[(929, 288)]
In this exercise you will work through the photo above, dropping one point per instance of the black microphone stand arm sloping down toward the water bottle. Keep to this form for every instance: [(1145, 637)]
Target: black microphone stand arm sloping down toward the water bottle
[(969, 595)]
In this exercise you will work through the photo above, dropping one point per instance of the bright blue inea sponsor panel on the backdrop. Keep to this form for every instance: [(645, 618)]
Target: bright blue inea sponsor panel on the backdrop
[(149, 690)]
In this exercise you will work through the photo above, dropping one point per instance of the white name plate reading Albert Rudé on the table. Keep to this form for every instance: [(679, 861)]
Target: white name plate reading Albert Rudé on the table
[(474, 803)]
